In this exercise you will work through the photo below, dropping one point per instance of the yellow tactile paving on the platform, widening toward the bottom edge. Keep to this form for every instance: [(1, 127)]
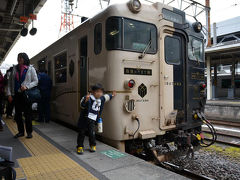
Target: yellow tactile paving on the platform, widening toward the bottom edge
[(47, 162)]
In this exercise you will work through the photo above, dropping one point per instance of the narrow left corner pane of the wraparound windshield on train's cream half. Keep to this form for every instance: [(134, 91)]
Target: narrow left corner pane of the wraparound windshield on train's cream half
[(114, 33)]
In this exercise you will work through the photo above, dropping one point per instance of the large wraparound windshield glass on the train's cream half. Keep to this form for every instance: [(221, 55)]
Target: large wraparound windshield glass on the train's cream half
[(130, 35)]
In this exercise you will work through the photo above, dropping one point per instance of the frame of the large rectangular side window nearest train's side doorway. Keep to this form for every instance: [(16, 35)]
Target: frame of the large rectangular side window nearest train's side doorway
[(59, 69)]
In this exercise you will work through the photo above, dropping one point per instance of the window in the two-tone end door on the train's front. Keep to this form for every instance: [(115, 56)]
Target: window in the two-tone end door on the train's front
[(172, 50)]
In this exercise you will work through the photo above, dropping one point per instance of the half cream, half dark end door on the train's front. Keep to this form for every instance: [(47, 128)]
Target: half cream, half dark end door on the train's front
[(172, 78)]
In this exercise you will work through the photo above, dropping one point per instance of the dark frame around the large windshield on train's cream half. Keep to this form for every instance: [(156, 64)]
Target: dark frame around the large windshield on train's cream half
[(121, 47)]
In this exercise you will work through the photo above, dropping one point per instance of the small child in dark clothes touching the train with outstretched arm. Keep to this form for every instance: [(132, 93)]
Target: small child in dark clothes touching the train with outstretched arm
[(92, 107)]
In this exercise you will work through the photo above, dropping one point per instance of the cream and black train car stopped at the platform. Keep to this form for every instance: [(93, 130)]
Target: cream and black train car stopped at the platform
[(150, 55)]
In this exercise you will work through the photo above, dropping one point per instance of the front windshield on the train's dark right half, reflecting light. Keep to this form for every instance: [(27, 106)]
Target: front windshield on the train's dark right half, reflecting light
[(195, 50)]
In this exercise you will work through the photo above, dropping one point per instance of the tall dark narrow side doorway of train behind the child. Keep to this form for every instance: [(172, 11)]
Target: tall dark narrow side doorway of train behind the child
[(83, 68)]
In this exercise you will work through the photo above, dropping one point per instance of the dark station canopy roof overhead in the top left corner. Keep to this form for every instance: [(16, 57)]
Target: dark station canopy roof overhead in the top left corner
[(10, 24)]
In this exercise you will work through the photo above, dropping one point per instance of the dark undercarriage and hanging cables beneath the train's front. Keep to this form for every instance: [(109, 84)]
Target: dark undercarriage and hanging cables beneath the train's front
[(172, 145)]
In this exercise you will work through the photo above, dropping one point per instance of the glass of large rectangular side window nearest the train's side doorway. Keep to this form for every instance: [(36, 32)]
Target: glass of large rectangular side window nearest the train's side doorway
[(61, 68)]
